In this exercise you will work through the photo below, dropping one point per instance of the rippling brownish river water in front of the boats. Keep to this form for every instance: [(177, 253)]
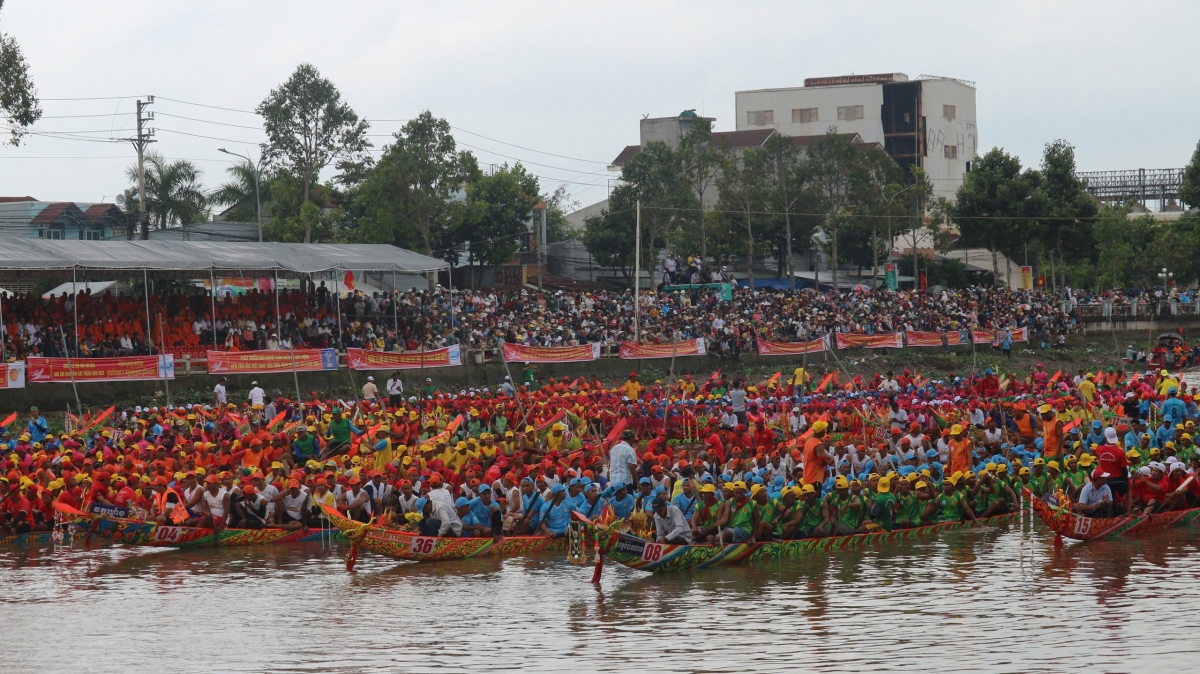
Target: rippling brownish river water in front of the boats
[(997, 600)]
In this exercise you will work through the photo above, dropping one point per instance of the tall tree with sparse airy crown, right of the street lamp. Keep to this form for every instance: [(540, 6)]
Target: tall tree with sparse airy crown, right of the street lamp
[(308, 127)]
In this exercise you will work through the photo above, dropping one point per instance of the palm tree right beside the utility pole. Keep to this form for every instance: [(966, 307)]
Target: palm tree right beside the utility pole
[(175, 196)]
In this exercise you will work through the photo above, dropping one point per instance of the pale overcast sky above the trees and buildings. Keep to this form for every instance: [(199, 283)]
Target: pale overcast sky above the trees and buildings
[(1117, 80)]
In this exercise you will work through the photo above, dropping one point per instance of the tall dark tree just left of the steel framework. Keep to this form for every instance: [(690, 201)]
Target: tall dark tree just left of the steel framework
[(1071, 208)]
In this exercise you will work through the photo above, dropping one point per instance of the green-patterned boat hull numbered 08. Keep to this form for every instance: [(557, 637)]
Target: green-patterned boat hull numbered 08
[(649, 556)]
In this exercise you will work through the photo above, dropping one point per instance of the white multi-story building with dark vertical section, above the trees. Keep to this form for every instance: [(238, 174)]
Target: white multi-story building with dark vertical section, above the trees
[(929, 122)]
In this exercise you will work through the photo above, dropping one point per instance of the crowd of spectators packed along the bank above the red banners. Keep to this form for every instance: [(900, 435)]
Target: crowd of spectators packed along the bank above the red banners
[(111, 326)]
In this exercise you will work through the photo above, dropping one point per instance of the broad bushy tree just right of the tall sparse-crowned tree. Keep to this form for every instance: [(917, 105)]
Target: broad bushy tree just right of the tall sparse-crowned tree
[(412, 198)]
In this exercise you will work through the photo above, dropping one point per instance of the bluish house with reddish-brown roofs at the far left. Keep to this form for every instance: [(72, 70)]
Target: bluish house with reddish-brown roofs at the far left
[(27, 218)]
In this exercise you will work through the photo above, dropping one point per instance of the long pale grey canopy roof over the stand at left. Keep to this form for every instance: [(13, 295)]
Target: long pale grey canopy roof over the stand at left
[(47, 256)]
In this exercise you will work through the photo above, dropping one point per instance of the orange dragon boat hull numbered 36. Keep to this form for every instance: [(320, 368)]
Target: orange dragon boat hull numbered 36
[(412, 546)]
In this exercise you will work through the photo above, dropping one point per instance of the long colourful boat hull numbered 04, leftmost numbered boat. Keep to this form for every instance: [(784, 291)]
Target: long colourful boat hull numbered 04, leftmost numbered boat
[(141, 533)]
